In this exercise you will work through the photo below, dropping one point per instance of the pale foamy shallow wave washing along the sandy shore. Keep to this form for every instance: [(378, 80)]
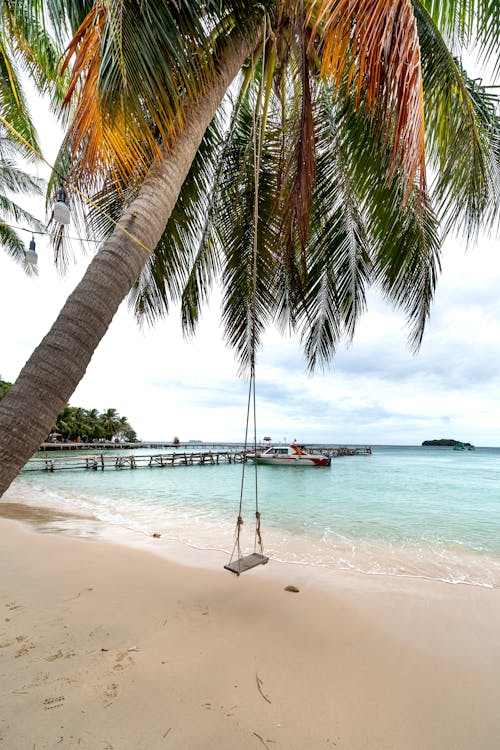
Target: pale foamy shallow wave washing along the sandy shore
[(195, 526)]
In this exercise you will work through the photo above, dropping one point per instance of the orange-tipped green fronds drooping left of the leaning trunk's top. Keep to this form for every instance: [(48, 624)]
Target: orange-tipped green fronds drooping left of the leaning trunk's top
[(135, 65)]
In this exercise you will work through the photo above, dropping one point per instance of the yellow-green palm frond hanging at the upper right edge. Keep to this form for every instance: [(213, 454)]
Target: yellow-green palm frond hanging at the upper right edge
[(463, 126)]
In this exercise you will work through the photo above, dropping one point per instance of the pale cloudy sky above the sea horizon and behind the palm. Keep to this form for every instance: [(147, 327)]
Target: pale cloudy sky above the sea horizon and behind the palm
[(376, 391)]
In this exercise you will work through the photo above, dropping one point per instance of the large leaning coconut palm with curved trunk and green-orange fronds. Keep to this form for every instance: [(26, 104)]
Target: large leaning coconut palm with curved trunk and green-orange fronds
[(148, 81)]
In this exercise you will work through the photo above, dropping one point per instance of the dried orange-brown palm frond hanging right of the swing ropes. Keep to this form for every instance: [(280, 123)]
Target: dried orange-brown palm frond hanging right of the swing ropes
[(375, 45)]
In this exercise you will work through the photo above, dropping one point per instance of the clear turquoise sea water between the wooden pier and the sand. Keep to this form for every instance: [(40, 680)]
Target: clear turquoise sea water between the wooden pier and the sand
[(403, 511)]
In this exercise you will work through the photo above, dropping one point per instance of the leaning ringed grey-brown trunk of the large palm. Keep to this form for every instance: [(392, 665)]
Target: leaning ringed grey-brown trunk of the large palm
[(57, 365)]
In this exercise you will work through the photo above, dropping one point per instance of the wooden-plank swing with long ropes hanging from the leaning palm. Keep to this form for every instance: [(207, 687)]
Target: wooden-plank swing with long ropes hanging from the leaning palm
[(239, 563)]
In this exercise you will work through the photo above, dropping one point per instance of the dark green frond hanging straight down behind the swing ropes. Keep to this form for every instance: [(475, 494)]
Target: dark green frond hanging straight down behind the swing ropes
[(232, 229)]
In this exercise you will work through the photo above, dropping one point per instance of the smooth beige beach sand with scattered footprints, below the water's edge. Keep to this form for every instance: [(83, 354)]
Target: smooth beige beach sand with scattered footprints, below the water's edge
[(106, 646)]
